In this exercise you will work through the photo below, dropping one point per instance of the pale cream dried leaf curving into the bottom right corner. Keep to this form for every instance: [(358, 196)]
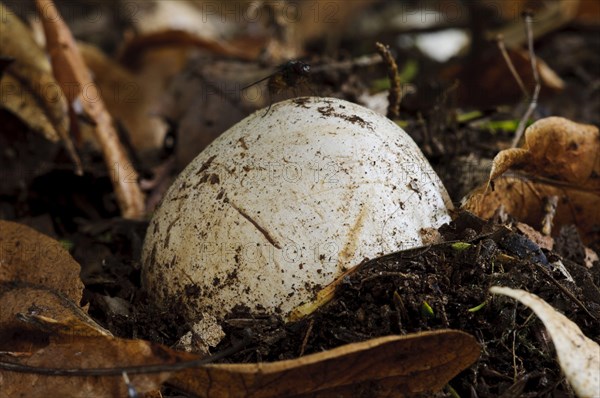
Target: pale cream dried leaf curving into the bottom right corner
[(579, 356)]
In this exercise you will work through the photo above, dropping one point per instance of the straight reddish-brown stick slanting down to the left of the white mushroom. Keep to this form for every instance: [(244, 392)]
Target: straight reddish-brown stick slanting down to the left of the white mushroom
[(74, 77)]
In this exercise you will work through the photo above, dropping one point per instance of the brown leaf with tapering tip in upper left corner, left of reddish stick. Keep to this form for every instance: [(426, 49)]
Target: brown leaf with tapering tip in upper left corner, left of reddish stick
[(28, 88)]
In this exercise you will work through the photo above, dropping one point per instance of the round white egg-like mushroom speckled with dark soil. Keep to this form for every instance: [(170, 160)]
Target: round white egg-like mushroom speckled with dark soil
[(281, 204)]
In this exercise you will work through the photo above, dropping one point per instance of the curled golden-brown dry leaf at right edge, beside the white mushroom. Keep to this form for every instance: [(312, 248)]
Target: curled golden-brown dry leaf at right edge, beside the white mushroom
[(559, 158)]
